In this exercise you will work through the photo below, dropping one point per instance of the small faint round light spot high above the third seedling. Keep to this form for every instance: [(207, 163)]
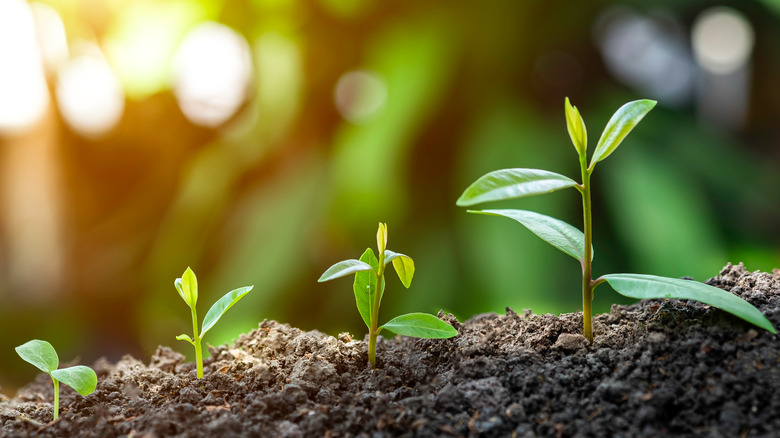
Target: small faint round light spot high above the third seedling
[(360, 95)]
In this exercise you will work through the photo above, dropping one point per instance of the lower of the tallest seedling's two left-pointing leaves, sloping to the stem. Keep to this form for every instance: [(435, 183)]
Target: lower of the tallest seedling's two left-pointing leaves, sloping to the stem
[(553, 231)]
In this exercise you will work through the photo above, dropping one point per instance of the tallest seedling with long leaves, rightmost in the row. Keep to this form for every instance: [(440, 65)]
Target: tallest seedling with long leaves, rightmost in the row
[(516, 183)]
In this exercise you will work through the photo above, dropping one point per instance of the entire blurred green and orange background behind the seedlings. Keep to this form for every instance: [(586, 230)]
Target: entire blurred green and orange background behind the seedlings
[(261, 141)]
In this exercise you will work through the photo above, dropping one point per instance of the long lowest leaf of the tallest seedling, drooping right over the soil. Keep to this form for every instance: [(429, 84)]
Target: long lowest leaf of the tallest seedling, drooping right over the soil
[(650, 286)]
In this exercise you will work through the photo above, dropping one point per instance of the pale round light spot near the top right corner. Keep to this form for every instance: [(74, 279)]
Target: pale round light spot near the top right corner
[(722, 40)]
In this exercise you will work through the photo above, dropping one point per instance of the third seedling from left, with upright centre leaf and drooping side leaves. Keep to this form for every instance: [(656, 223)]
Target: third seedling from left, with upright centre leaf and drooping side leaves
[(369, 286)]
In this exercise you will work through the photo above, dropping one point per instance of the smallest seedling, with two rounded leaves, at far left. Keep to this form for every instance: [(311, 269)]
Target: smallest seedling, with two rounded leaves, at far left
[(44, 357)]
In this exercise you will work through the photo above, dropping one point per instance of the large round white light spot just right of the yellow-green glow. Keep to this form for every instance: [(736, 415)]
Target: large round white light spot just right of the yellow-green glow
[(212, 74)]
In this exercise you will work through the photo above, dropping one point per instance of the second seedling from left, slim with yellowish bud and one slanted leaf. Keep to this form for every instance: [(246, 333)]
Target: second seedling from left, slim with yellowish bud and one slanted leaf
[(187, 286)]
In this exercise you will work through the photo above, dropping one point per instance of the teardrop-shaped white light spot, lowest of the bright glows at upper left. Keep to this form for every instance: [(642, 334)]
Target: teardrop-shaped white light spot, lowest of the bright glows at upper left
[(89, 93)]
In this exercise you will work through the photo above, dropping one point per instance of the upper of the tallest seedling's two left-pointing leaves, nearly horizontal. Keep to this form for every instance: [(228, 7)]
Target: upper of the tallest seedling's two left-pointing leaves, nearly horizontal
[(505, 184)]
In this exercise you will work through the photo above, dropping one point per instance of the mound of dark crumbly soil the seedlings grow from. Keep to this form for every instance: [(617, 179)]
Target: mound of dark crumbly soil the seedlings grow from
[(656, 368)]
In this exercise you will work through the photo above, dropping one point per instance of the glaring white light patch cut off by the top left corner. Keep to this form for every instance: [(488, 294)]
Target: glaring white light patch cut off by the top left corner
[(24, 95)]
